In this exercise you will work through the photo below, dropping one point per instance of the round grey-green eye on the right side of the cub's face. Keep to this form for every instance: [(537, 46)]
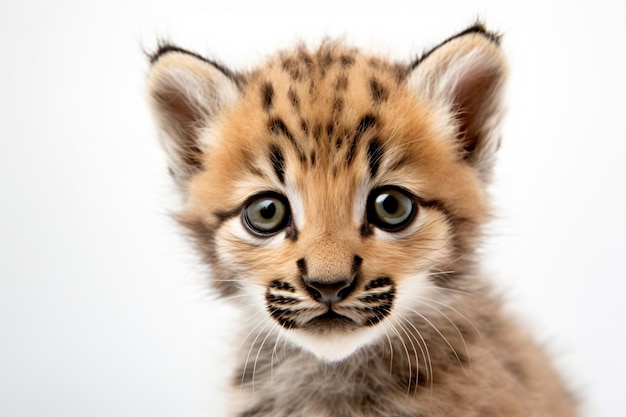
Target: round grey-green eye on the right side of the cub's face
[(391, 208)]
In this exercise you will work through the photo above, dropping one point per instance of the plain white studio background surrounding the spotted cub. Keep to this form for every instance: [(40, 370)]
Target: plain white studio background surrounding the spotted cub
[(103, 307)]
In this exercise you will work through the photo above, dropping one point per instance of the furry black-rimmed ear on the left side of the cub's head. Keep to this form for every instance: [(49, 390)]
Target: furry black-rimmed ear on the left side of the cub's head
[(187, 92)]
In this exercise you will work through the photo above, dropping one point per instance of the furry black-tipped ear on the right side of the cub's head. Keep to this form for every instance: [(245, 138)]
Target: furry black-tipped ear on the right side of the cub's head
[(466, 74)]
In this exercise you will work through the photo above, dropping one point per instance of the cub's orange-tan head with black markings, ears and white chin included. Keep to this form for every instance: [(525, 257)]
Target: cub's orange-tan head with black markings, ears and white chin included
[(331, 189)]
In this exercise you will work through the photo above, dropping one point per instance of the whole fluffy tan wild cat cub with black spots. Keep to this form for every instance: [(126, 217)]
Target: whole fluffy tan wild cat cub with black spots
[(339, 198)]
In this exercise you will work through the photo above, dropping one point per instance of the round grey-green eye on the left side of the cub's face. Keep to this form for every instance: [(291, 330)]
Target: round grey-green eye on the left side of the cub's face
[(266, 214)]
